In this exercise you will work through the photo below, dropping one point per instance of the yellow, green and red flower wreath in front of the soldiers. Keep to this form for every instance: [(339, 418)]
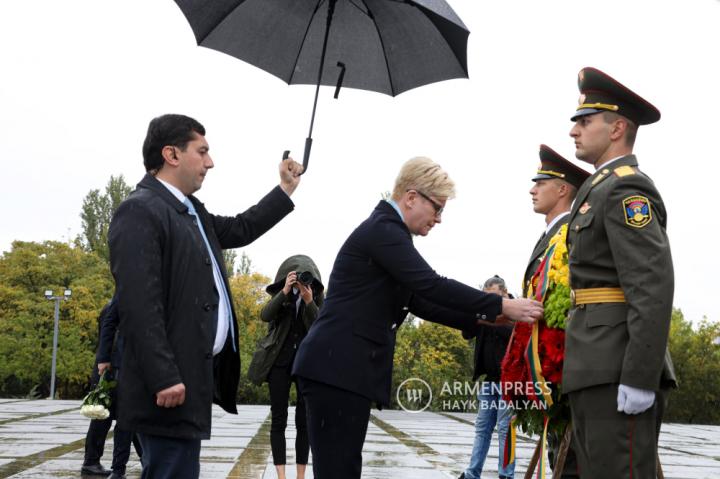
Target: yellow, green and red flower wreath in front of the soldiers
[(550, 346)]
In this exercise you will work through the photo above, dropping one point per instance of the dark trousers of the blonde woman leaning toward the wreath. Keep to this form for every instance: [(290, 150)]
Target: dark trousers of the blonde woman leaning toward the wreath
[(337, 424)]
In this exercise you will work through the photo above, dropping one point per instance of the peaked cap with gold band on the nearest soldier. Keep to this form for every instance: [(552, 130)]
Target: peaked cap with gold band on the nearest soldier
[(600, 92)]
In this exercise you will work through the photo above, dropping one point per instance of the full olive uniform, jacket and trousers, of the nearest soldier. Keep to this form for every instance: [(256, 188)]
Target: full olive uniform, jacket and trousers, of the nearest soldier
[(617, 239)]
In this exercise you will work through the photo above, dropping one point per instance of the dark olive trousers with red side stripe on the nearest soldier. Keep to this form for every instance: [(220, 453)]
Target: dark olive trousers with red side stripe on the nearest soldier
[(613, 444)]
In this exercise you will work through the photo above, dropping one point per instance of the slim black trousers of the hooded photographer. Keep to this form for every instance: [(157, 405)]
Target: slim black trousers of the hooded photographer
[(279, 381)]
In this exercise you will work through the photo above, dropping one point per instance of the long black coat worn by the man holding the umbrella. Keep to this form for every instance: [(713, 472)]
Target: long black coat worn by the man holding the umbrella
[(167, 303)]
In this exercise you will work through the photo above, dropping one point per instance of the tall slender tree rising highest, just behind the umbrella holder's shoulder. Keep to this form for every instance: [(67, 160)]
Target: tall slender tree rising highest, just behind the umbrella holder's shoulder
[(97, 211)]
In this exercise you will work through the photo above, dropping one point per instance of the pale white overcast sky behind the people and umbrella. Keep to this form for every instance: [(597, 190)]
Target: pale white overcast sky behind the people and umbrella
[(80, 79)]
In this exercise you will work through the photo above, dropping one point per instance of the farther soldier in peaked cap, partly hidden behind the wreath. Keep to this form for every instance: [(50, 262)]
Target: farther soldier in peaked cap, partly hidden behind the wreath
[(556, 184)]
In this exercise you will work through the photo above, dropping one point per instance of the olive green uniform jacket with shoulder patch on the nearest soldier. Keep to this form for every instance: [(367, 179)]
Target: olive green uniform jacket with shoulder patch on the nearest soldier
[(617, 238)]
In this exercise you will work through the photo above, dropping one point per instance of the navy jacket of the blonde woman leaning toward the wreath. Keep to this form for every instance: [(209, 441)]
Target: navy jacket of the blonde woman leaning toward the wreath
[(378, 277)]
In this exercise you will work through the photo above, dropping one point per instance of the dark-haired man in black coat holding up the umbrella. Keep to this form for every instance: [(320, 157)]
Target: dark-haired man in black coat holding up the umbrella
[(176, 314)]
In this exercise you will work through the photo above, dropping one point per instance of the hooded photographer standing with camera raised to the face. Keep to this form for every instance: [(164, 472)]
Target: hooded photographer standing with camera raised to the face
[(297, 295)]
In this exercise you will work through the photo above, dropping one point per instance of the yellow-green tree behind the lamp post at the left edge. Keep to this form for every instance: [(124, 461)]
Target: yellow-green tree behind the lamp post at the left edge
[(27, 318)]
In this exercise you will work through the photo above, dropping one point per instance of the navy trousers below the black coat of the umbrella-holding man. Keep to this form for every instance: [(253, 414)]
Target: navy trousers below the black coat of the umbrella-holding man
[(170, 457)]
